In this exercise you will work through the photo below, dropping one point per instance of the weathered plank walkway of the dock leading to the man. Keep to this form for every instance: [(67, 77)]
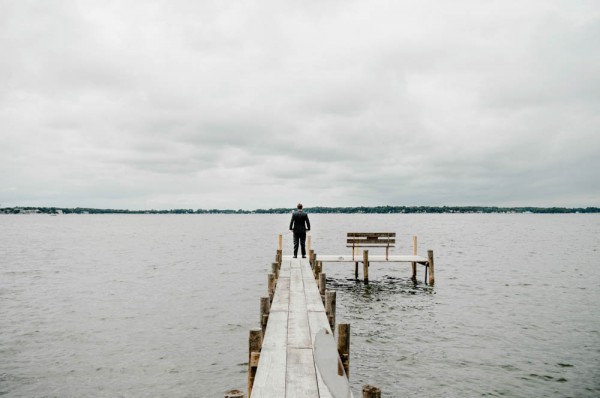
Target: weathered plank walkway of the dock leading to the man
[(299, 356)]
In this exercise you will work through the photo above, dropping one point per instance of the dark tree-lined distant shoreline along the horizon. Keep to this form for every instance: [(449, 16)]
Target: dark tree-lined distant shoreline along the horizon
[(314, 210)]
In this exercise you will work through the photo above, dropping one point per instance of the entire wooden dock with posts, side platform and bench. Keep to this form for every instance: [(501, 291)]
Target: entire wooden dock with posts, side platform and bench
[(294, 354)]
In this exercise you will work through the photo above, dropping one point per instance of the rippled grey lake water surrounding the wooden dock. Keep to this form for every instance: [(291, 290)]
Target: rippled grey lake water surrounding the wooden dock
[(161, 305)]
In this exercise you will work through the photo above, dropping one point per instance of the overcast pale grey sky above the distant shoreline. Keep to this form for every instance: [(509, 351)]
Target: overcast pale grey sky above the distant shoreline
[(260, 104)]
